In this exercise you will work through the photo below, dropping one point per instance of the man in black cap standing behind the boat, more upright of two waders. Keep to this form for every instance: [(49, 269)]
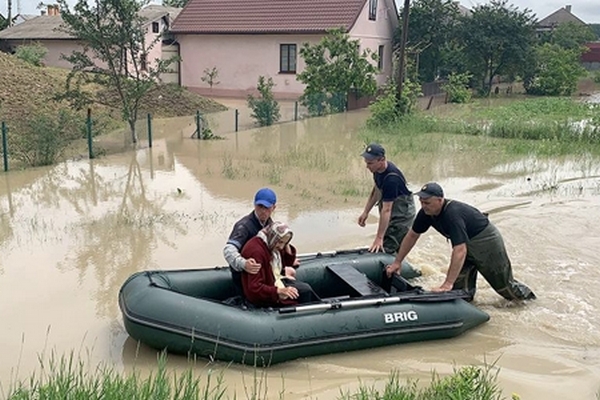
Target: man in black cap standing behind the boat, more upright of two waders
[(395, 201)]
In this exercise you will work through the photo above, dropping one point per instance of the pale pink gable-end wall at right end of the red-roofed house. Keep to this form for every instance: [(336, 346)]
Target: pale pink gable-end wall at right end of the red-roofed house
[(373, 34)]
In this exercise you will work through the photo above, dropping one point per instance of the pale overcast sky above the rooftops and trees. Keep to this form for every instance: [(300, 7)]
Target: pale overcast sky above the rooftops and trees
[(586, 10)]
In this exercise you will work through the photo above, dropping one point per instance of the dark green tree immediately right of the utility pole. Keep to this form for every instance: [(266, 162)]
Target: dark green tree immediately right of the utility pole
[(431, 30)]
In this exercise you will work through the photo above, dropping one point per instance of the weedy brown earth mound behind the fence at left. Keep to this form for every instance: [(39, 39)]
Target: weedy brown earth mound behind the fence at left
[(40, 127)]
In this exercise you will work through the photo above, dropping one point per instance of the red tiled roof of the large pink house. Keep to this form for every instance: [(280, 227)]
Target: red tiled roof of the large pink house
[(266, 16)]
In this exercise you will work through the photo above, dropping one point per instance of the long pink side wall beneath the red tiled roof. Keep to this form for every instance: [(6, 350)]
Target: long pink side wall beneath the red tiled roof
[(240, 60)]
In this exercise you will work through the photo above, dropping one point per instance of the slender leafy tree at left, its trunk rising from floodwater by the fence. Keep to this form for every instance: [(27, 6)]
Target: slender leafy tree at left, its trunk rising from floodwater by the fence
[(114, 55)]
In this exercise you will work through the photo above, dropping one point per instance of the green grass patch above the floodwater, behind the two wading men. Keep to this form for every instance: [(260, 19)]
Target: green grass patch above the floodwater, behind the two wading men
[(539, 126)]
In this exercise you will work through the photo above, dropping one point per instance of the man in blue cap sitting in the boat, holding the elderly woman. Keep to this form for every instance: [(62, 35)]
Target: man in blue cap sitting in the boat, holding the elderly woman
[(244, 230)]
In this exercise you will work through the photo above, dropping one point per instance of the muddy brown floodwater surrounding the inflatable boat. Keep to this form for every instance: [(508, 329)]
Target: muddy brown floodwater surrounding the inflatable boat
[(71, 234)]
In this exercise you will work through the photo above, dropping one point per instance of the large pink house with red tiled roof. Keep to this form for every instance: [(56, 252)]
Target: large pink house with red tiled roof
[(249, 38)]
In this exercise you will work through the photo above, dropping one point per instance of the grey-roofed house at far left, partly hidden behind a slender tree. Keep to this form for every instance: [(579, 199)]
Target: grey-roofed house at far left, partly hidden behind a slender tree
[(45, 29)]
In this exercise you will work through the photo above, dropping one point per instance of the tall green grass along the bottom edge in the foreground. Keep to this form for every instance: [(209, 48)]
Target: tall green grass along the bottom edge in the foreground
[(65, 378)]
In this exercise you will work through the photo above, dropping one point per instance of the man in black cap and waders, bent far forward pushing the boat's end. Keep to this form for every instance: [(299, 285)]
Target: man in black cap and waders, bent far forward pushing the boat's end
[(477, 245)]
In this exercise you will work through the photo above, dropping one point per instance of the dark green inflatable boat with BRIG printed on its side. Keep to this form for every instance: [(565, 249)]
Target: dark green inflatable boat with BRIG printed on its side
[(187, 312)]
